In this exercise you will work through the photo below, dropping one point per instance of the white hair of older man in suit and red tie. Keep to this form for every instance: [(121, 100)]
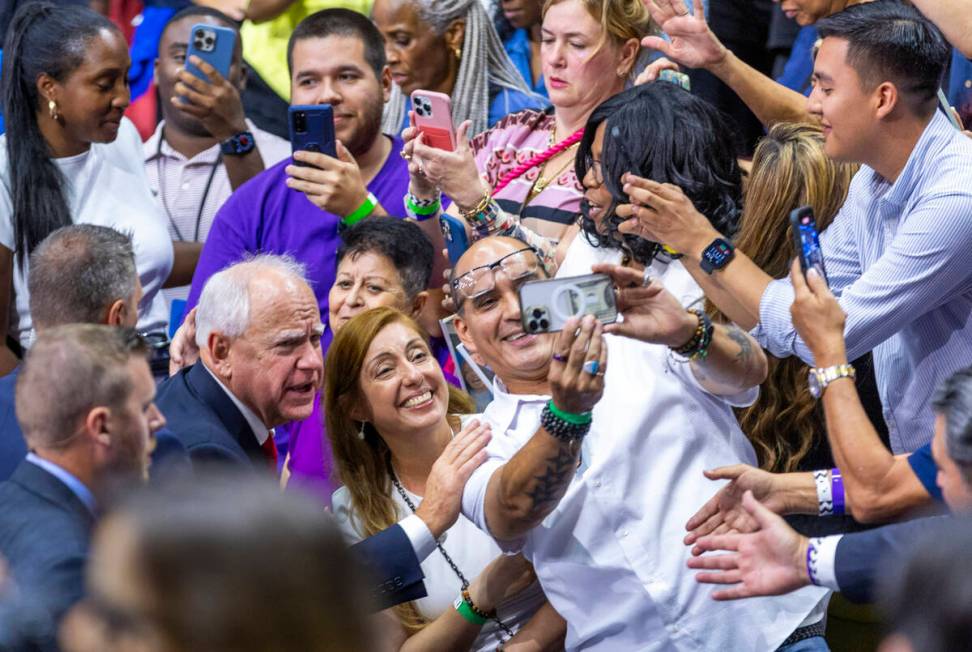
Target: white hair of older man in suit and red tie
[(224, 305)]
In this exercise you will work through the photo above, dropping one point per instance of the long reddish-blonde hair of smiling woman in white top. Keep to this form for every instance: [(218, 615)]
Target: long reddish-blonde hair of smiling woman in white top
[(363, 464)]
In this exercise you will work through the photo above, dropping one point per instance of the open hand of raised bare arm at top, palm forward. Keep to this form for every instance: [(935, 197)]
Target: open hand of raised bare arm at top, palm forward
[(692, 42)]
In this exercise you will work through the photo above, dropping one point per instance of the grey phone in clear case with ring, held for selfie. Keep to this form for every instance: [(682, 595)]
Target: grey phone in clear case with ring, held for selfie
[(546, 305)]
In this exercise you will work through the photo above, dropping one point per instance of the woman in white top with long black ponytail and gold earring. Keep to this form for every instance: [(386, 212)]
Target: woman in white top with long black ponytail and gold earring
[(69, 156)]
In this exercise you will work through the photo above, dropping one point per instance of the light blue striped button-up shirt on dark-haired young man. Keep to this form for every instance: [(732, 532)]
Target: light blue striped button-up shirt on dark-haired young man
[(899, 257)]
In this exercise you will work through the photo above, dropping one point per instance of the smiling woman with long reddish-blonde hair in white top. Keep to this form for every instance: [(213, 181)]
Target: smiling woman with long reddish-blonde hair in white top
[(390, 414)]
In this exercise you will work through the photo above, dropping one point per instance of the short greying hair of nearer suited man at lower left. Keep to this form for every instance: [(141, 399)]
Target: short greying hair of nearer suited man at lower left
[(69, 371)]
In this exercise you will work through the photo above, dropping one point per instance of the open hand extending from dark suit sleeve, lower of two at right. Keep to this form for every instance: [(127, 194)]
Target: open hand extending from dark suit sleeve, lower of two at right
[(770, 561)]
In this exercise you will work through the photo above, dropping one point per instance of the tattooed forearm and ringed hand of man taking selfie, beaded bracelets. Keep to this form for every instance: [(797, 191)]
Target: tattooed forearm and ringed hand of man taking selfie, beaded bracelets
[(522, 492)]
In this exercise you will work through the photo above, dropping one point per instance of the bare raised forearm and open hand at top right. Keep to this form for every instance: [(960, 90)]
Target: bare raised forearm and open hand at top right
[(695, 46)]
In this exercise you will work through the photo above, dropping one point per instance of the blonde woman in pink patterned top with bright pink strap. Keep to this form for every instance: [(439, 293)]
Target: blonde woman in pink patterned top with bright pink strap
[(518, 178)]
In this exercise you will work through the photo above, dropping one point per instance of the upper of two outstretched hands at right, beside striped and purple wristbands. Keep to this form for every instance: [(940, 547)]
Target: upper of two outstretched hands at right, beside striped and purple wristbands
[(724, 512)]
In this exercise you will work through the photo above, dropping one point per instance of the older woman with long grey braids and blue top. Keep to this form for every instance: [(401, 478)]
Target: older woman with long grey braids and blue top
[(449, 46)]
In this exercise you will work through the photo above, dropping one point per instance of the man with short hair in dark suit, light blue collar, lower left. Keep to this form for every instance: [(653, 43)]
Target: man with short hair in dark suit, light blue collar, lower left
[(85, 402)]
